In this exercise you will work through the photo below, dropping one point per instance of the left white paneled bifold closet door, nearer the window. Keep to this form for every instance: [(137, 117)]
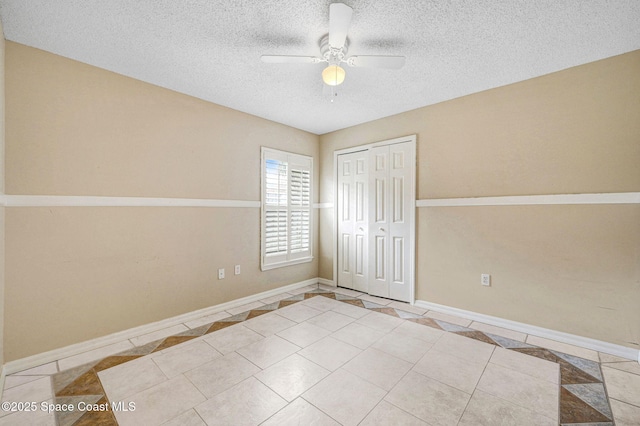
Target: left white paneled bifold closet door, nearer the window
[(353, 220)]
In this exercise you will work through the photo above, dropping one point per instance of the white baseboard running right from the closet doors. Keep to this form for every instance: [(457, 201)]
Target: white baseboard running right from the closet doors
[(558, 336)]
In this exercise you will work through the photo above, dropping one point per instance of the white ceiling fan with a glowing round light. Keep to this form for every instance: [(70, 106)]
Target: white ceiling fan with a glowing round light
[(333, 50)]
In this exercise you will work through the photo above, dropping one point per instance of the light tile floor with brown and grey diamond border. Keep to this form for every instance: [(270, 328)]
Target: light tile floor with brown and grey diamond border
[(327, 356)]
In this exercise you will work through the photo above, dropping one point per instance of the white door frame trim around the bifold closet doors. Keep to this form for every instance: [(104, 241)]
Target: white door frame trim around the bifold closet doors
[(412, 213)]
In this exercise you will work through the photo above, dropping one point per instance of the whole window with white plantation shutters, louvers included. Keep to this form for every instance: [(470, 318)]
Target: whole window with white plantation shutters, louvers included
[(286, 208)]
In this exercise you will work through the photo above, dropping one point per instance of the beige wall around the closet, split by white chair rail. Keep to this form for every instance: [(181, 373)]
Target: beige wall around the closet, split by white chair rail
[(570, 268)]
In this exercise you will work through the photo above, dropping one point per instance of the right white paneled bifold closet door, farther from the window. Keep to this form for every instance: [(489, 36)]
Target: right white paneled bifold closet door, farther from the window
[(392, 198)]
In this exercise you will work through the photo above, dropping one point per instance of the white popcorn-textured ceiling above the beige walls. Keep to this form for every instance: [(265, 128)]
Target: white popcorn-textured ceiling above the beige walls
[(211, 49)]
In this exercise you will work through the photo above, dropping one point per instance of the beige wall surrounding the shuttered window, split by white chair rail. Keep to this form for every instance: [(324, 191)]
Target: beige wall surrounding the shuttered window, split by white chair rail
[(77, 273)]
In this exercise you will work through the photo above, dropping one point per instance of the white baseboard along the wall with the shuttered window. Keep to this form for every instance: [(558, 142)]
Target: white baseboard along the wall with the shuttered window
[(79, 348)]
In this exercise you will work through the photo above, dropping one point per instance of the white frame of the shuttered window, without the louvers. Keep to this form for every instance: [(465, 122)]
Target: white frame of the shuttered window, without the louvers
[(300, 163)]
